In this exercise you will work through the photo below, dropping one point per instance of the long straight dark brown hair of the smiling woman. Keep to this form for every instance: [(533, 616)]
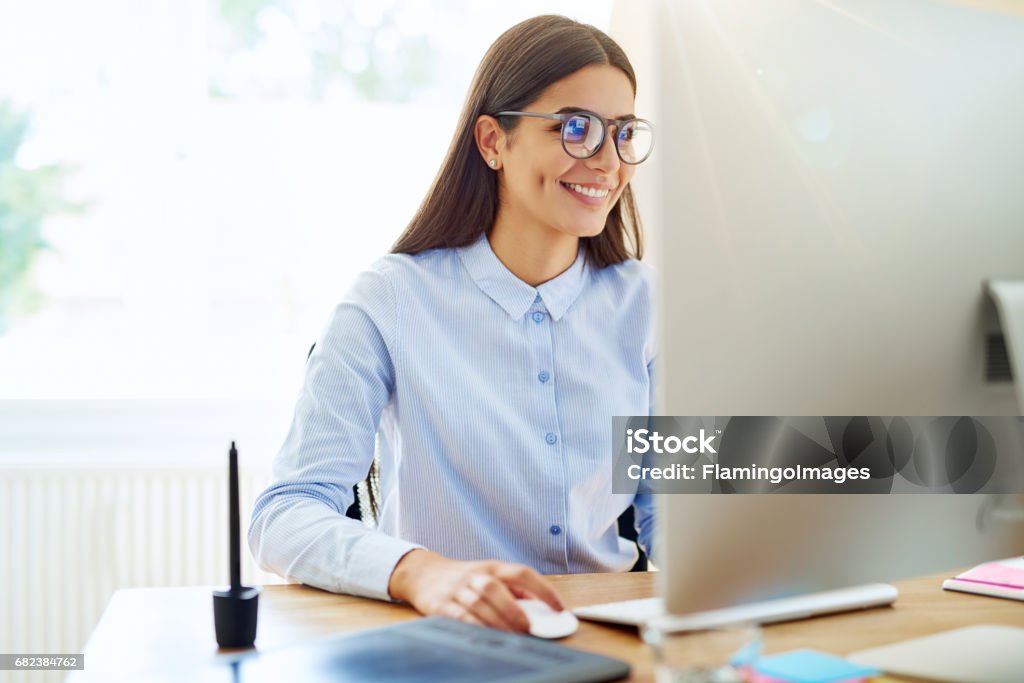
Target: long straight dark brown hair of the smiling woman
[(526, 60)]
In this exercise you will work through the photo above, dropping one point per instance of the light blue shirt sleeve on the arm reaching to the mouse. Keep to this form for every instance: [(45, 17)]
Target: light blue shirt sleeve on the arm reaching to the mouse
[(298, 528)]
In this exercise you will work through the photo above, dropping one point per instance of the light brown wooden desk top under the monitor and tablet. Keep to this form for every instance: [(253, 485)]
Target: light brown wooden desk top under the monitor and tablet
[(169, 629)]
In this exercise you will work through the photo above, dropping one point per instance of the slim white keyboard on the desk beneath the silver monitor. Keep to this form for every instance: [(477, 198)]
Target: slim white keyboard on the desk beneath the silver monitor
[(635, 613)]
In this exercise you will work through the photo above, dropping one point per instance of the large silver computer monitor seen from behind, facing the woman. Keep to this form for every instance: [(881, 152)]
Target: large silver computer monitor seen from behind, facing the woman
[(835, 184)]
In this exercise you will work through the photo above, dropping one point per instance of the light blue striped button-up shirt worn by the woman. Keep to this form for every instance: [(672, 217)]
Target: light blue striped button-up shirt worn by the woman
[(492, 405)]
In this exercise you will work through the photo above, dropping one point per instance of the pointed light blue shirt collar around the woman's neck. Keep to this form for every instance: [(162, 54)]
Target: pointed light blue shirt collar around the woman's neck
[(515, 295)]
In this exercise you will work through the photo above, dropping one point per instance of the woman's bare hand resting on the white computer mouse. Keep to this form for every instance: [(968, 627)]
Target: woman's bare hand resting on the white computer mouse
[(483, 593)]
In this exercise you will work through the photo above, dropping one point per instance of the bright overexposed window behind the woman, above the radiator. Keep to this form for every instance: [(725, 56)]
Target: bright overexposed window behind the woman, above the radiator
[(235, 165)]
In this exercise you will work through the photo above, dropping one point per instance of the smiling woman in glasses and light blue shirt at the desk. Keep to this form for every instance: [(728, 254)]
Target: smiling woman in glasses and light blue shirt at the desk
[(489, 354)]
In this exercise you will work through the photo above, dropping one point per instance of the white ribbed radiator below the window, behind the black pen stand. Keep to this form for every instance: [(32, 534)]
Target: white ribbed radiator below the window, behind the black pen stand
[(69, 538)]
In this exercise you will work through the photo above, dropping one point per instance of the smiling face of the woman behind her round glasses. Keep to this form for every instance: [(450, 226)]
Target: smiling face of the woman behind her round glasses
[(537, 174)]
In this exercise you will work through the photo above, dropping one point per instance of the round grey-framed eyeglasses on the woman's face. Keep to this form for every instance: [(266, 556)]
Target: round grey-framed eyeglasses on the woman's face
[(584, 134)]
